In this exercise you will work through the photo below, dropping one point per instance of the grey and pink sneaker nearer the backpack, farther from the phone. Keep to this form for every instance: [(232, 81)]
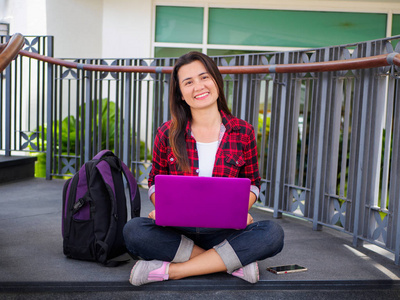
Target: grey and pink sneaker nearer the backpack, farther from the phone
[(145, 271)]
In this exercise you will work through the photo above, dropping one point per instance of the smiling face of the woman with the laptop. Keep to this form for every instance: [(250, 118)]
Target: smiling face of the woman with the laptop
[(197, 86)]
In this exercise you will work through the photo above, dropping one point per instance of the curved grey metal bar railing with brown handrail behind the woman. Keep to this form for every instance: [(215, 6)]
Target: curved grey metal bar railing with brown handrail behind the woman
[(327, 123)]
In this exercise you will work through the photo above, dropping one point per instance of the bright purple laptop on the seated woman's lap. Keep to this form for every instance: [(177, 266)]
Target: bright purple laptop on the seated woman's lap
[(192, 201)]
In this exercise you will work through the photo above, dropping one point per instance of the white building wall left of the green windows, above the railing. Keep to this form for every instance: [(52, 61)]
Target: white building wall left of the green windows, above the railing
[(85, 28)]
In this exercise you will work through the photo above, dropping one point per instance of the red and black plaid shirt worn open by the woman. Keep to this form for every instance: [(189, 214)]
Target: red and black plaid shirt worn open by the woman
[(236, 155)]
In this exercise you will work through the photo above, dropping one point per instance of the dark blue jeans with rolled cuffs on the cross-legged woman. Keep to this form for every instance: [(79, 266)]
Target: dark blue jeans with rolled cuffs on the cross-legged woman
[(237, 248)]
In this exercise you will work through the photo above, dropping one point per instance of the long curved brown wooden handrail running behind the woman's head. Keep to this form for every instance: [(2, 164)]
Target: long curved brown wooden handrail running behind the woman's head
[(337, 65)]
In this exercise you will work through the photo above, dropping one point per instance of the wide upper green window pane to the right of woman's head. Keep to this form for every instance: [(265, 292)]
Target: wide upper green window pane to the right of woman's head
[(280, 28)]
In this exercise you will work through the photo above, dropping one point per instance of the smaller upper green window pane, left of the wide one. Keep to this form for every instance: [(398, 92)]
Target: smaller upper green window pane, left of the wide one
[(179, 24)]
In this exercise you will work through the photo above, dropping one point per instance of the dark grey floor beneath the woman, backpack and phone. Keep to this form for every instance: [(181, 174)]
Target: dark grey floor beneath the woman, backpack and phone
[(32, 263)]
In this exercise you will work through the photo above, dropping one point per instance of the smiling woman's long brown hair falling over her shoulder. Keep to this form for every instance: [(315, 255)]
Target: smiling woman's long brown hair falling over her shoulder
[(180, 110)]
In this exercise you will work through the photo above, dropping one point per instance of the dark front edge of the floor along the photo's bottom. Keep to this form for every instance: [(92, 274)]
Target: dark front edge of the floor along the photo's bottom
[(204, 289)]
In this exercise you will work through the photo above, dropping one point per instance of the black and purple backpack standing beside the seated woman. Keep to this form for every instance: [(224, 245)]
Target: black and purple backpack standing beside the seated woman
[(95, 209)]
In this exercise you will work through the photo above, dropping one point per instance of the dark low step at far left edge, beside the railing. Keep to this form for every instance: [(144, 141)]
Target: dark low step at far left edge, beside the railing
[(16, 167)]
